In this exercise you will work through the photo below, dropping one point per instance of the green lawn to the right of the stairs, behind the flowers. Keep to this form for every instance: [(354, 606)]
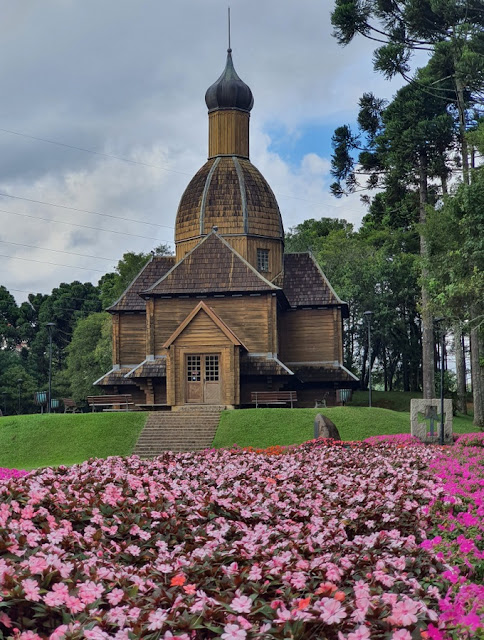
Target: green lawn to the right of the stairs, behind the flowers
[(266, 427)]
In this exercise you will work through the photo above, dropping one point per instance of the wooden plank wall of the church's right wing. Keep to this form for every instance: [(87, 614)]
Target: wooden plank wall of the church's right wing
[(310, 335)]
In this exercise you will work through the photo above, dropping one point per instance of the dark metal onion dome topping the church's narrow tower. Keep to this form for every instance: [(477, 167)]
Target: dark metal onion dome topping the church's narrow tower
[(229, 91)]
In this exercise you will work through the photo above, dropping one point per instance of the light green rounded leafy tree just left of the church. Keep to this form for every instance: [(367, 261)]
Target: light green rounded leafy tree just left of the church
[(89, 354)]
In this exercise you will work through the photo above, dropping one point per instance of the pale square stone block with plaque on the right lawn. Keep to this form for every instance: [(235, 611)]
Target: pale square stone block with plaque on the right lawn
[(425, 420)]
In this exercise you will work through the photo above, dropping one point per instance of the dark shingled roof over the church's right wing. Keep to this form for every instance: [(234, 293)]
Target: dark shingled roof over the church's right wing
[(305, 284)]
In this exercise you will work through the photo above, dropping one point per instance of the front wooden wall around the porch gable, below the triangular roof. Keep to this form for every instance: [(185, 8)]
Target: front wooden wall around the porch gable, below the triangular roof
[(249, 317)]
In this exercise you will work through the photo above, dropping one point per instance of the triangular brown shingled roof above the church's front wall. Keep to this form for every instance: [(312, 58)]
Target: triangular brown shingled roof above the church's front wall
[(213, 266)]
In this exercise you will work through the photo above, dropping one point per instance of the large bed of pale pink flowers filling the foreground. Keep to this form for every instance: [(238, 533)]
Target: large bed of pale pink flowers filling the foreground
[(323, 541)]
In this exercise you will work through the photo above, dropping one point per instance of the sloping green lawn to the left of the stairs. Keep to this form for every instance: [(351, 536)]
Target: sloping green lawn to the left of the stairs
[(27, 442)]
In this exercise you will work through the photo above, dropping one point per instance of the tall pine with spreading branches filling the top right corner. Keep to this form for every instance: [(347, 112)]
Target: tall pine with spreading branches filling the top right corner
[(451, 30)]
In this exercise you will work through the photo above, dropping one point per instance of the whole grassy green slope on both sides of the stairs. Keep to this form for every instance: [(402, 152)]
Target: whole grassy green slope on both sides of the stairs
[(31, 441)]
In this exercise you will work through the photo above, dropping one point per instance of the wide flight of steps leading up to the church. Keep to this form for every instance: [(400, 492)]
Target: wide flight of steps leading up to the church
[(190, 428)]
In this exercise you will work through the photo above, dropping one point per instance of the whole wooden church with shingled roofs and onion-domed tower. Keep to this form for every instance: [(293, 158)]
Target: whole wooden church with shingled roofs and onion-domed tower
[(231, 313)]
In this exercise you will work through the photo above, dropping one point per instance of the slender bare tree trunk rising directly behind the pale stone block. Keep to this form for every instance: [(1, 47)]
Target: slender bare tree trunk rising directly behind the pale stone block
[(428, 360)]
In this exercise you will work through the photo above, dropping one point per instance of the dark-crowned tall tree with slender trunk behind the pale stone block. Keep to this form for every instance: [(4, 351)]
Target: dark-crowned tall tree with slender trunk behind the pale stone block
[(404, 148)]
